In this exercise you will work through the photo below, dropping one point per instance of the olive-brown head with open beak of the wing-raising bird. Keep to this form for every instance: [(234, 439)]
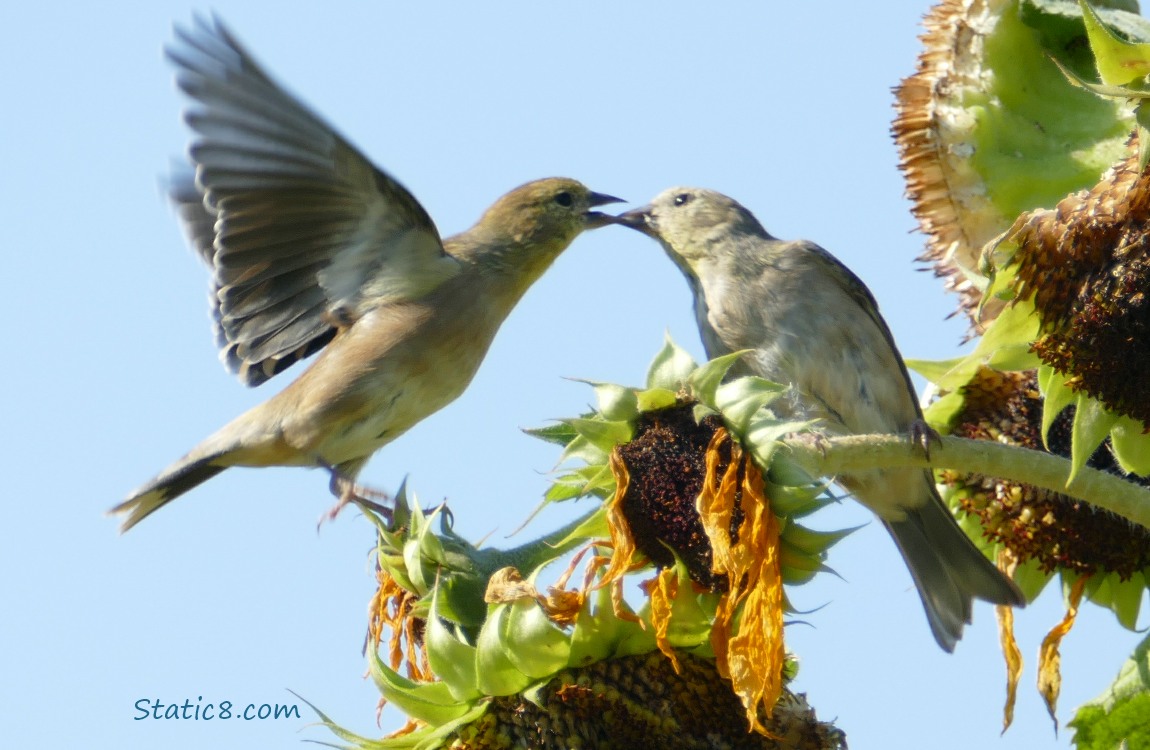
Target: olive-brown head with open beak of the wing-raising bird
[(547, 215)]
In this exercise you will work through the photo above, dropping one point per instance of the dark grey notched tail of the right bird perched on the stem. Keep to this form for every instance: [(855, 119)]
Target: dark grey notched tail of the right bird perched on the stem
[(949, 571)]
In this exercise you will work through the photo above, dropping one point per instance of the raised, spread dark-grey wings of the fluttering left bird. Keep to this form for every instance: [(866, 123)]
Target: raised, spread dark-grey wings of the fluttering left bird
[(302, 232)]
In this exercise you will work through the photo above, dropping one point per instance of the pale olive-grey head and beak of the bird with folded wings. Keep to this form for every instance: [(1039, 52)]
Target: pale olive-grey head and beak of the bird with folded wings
[(692, 223)]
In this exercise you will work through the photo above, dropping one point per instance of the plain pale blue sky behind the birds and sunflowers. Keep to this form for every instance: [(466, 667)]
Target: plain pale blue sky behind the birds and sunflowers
[(231, 594)]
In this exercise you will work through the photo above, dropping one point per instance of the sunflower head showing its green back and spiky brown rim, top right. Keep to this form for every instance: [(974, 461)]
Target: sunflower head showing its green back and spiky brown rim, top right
[(983, 126)]
